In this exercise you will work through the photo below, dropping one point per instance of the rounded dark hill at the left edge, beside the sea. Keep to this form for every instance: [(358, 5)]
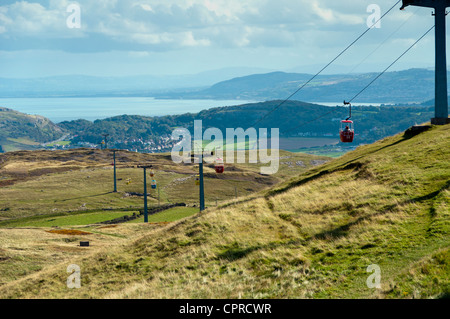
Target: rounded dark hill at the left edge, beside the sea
[(19, 131)]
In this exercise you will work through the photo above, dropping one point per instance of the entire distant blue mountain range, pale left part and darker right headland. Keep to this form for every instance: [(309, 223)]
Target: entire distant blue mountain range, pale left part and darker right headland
[(408, 86)]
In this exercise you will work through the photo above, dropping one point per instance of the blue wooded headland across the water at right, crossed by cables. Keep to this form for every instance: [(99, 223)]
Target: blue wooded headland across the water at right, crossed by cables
[(408, 86)]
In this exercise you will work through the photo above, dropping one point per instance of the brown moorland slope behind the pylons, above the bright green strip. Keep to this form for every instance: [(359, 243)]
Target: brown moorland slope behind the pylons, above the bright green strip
[(54, 182)]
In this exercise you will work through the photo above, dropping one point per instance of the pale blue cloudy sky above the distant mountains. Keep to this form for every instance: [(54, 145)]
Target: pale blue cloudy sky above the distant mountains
[(171, 37)]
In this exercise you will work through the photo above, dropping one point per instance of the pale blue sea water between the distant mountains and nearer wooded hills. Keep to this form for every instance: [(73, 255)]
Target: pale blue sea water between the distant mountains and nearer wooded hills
[(59, 109)]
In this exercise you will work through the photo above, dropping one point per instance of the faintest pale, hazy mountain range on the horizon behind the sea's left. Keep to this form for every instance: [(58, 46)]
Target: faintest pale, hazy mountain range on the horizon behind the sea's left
[(142, 85)]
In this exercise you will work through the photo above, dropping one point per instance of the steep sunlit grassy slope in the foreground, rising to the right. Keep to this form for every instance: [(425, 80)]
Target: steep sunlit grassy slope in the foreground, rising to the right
[(313, 236)]
